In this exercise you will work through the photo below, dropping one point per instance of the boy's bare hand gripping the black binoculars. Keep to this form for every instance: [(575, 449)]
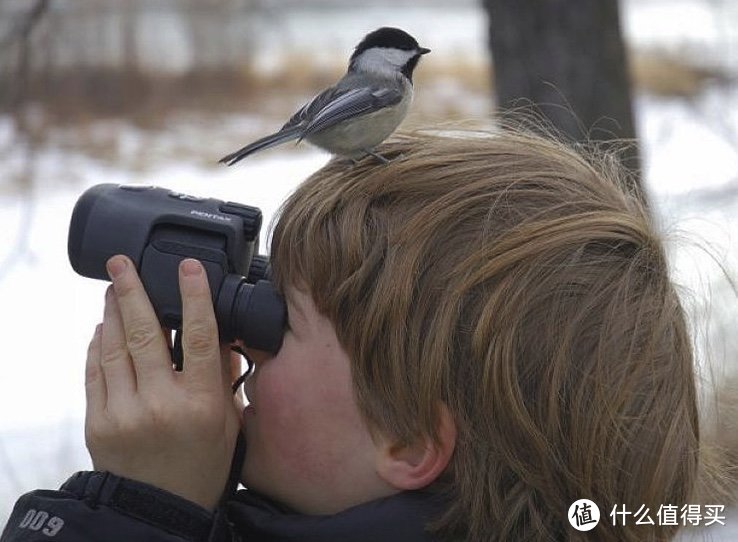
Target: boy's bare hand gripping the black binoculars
[(144, 421)]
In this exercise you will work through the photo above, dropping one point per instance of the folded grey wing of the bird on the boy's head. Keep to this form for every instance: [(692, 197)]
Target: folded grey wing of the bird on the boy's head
[(336, 104)]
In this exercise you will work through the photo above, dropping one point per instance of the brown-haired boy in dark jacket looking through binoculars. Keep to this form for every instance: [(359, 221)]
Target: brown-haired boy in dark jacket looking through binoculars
[(480, 333)]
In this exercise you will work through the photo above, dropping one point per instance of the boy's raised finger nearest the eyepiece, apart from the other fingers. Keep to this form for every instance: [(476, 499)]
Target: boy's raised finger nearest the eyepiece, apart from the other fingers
[(200, 341)]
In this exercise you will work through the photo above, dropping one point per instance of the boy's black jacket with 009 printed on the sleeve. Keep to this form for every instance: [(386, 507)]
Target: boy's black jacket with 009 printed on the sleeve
[(101, 507)]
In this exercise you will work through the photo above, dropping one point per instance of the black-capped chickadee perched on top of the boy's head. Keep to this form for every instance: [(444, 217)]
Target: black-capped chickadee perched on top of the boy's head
[(363, 108)]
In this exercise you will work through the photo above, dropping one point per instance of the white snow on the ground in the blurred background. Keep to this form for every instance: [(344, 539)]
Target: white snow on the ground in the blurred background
[(48, 313)]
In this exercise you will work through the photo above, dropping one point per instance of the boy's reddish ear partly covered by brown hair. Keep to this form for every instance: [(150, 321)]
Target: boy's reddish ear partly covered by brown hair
[(414, 466)]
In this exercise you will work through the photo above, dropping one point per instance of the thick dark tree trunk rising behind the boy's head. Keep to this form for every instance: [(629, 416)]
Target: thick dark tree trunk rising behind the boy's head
[(566, 60)]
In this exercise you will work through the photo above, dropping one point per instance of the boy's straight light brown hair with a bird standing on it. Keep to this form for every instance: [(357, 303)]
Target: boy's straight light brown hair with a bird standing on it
[(506, 284)]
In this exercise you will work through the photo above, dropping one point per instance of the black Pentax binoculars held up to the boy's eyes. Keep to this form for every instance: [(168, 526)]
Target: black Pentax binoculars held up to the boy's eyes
[(157, 228)]
